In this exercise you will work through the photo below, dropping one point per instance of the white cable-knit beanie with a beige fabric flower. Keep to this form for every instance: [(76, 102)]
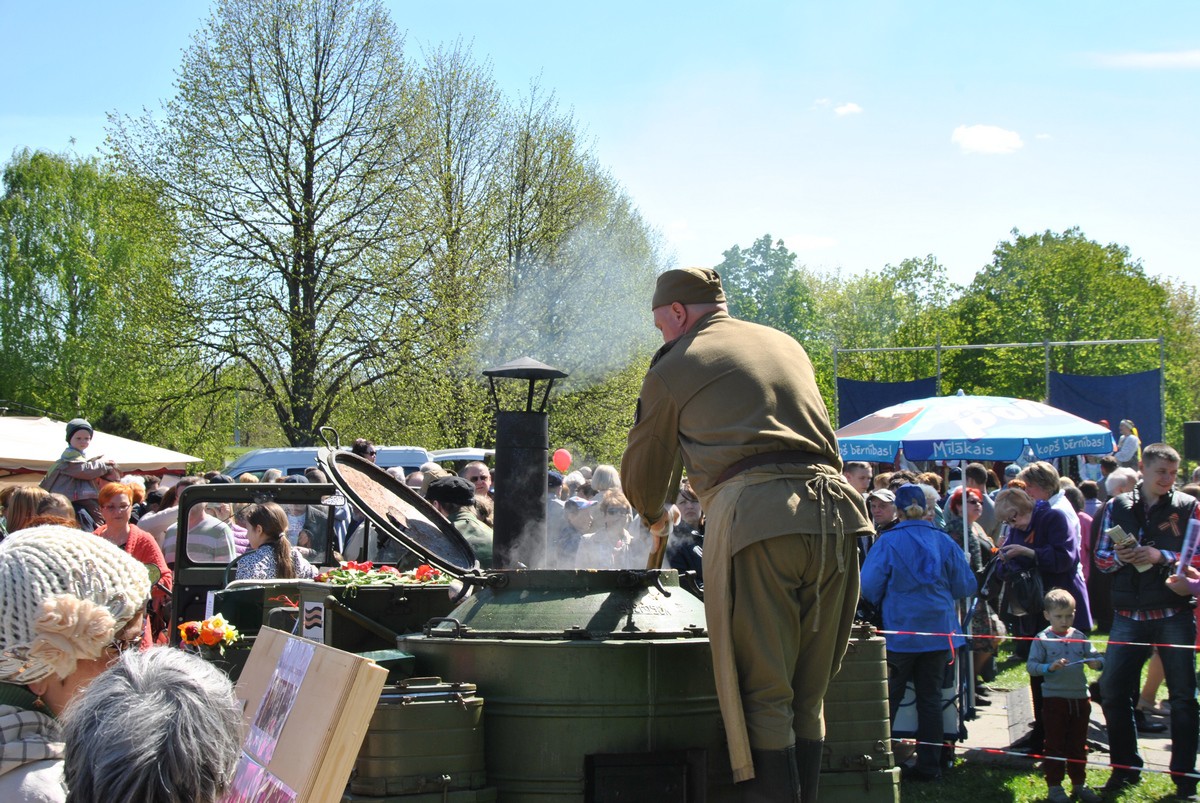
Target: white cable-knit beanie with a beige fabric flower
[(64, 597)]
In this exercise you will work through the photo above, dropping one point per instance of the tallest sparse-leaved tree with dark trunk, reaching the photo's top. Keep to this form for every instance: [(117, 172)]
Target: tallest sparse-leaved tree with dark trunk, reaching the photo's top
[(290, 155)]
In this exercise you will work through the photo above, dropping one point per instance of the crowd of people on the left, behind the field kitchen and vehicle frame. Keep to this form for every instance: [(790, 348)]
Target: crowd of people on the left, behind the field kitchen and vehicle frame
[(590, 523)]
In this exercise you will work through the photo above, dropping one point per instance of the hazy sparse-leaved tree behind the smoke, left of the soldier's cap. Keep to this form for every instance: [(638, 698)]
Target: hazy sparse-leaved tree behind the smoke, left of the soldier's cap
[(578, 272)]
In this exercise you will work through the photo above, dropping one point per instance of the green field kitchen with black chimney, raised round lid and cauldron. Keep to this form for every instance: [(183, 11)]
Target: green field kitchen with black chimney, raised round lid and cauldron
[(598, 685)]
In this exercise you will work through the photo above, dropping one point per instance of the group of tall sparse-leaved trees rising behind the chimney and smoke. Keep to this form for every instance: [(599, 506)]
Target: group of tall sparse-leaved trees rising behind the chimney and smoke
[(357, 224)]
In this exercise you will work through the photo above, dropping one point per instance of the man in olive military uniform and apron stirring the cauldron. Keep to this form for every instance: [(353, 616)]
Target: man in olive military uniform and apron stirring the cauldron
[(737, 405)]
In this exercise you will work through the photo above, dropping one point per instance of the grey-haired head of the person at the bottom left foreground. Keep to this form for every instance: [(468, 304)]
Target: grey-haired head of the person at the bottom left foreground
[(159, 727)]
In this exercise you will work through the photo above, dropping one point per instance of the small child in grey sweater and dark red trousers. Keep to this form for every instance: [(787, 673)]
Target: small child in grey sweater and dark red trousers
[(1059, 655)]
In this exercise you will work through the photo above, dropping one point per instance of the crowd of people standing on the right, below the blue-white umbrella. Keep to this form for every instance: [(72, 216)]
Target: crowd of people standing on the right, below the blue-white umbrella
[(1042, 549)]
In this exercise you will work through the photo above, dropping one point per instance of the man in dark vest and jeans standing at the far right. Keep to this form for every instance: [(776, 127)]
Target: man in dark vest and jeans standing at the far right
[(1147, 612)]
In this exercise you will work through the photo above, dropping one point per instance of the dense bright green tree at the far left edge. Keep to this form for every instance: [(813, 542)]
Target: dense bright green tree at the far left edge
[(88, 274)]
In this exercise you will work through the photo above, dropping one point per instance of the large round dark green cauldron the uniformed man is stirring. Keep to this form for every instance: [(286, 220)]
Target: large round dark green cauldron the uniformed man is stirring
[(581, 669)]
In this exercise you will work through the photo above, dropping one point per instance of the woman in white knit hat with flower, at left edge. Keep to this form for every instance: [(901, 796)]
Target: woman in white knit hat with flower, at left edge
[(69, 607)]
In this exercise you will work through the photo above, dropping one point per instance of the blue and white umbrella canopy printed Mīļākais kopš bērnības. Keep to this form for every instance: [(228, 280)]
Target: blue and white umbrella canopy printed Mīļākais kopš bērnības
[(971, 429)]
